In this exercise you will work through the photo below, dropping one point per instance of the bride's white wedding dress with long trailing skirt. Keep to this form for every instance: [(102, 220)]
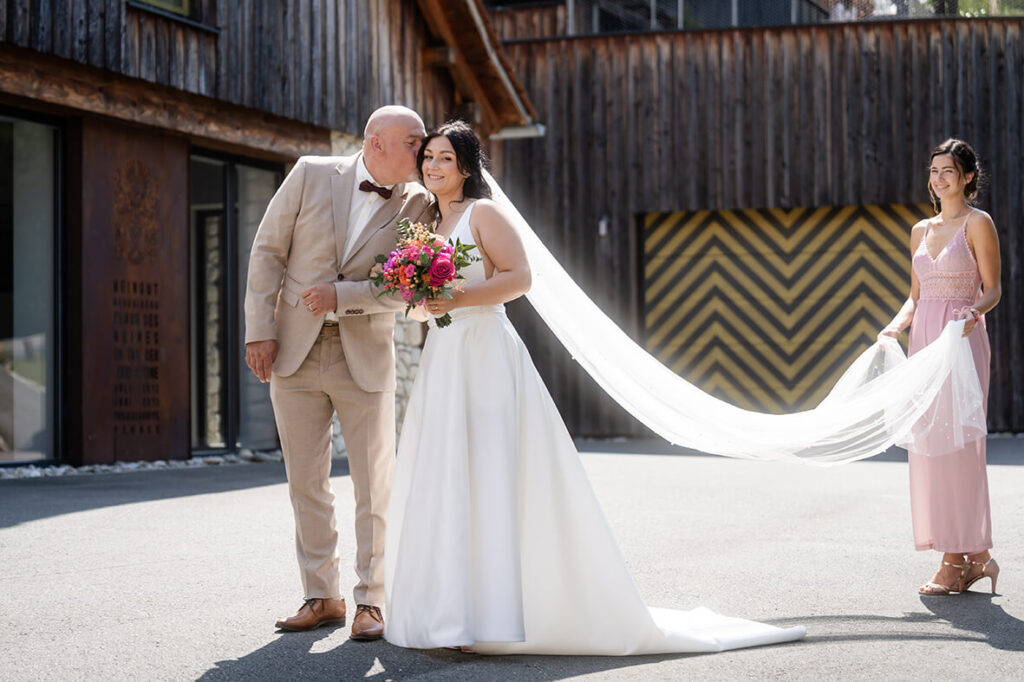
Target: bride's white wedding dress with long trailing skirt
[(495, 537)]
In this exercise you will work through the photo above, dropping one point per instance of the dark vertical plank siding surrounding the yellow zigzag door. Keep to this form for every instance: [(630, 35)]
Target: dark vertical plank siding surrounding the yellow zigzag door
[(792, 117)]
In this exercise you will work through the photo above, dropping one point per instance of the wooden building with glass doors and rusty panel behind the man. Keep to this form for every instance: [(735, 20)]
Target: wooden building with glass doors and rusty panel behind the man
[(140, 144)]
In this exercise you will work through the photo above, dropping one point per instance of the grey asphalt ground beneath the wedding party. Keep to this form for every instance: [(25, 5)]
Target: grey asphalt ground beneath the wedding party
[(180, 575)]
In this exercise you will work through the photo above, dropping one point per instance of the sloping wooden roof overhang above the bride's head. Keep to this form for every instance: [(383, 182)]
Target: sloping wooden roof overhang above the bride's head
[(479, 67)]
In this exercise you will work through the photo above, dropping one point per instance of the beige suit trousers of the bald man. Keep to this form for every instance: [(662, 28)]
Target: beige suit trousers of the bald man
[(304, 406)]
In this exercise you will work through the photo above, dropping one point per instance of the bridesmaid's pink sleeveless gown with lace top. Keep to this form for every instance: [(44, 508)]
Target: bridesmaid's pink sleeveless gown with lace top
[(950, 493)]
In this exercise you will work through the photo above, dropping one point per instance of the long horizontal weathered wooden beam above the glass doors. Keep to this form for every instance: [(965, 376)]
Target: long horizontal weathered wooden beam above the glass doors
[(205, 121)]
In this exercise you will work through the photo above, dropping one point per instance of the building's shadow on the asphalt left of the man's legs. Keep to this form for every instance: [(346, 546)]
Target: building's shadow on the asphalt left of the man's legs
[(28, 500)]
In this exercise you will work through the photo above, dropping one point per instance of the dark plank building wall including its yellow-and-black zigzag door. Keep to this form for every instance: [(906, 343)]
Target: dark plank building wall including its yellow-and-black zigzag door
[(726, 188)]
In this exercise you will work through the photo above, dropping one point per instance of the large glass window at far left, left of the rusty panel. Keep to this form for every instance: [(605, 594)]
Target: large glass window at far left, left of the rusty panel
[(28, 219)]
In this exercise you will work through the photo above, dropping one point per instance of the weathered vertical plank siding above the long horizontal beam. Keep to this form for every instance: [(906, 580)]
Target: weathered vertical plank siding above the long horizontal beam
[(320, 62)]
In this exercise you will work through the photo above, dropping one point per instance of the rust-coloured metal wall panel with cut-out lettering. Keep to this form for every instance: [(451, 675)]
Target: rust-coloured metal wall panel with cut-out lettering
[(133, 303)]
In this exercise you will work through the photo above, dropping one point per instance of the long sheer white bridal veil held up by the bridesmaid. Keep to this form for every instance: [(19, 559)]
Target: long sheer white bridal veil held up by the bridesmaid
[(884, 399)]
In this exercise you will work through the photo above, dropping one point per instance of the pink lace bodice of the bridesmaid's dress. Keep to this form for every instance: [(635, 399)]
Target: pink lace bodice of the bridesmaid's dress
[(953, 275)]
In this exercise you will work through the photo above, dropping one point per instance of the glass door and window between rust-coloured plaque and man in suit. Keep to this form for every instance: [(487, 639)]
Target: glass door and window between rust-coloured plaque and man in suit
[(231, 408)]
